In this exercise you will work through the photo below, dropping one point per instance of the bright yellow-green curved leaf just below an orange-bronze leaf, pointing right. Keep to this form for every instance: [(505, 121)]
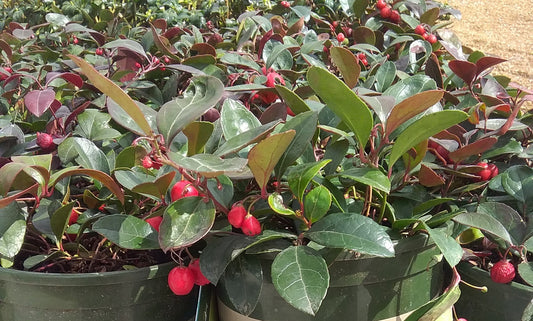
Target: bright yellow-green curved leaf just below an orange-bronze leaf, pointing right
[(424, 128)]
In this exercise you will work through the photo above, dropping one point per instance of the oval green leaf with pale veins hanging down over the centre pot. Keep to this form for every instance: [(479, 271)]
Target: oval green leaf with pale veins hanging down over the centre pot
[(301, 277)]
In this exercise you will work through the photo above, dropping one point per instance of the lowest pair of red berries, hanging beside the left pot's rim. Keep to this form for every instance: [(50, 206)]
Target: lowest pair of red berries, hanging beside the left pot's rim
[(182, 279)]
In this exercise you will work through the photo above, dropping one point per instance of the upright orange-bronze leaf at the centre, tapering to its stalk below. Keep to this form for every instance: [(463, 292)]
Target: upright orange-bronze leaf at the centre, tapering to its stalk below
[(264, 156)]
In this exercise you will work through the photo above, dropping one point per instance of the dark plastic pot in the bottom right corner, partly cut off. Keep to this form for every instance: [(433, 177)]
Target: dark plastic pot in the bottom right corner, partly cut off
[(500, 302)]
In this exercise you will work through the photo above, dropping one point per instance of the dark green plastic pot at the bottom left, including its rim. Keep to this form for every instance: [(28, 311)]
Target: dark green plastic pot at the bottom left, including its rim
[(133, 295)]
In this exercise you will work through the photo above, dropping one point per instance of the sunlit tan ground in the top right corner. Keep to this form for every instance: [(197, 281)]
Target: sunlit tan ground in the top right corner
[(500, 28)]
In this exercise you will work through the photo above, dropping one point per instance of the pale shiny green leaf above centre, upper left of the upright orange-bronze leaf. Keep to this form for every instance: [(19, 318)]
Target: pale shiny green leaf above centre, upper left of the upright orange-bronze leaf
[(236, 119)]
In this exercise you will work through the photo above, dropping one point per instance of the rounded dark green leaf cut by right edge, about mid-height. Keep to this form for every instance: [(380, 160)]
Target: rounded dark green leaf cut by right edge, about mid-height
[(518, 182)]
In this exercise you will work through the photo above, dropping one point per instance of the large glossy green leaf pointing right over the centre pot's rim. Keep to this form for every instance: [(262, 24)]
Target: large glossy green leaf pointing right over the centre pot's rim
[(352, 231)]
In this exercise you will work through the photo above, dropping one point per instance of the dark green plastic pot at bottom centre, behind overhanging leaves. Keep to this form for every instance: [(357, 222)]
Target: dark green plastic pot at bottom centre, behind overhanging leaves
[(361, 289)]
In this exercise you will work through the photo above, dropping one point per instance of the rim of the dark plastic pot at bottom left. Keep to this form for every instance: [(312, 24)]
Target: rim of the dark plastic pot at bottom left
[(149, 272)]
